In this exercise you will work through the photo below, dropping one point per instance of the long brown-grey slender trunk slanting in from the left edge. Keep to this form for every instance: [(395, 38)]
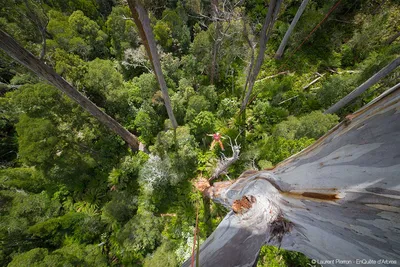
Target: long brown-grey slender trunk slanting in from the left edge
[(20, 54)]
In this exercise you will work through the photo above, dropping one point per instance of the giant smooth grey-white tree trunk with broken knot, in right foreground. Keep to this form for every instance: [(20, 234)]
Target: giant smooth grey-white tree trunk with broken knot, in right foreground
[(337, 199)]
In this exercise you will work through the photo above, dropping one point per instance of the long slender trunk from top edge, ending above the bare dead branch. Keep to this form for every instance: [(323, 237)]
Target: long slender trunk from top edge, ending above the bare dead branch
[(266, 31)]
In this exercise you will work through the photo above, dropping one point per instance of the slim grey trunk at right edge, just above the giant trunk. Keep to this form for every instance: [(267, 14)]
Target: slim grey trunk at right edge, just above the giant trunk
[(363, 87)]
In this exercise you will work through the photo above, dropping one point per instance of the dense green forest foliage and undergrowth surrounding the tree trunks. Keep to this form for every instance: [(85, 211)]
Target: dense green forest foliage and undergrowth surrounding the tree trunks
[(73, 194)]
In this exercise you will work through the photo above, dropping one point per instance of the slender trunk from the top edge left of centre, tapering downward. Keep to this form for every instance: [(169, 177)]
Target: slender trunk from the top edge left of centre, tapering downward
[(142, 21)]
